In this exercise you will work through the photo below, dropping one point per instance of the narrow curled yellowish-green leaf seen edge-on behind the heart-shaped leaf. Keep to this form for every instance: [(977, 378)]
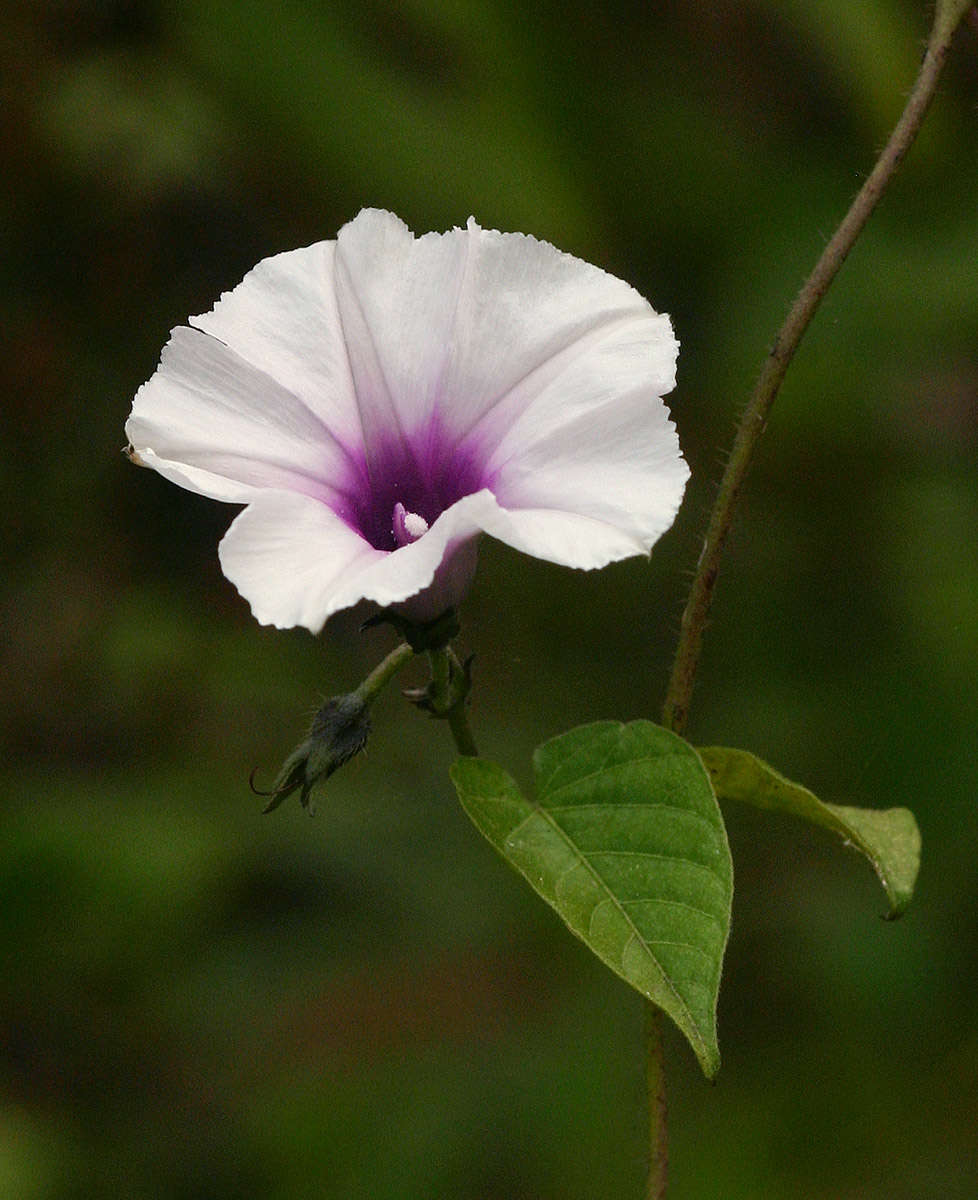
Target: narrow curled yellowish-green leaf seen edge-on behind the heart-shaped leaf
[(889, 838)]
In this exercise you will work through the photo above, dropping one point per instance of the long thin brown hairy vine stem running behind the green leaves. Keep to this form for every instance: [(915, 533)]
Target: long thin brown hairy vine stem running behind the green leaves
[(949, 16)]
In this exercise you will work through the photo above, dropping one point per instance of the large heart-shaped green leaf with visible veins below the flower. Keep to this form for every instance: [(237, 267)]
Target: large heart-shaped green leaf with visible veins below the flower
[(626, 841)]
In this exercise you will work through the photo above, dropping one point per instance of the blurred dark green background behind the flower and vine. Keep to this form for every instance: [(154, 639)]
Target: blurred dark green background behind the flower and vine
[(197, 1001)]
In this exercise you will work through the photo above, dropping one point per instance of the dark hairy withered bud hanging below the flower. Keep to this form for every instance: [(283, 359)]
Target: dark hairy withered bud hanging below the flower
[(339, 731)]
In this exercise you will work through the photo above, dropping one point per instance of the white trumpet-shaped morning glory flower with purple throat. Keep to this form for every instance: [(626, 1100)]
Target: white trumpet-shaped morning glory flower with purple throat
[(380, 401)]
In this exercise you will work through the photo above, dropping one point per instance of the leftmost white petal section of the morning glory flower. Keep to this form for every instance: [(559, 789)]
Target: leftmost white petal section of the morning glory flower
[(218, 425)]
